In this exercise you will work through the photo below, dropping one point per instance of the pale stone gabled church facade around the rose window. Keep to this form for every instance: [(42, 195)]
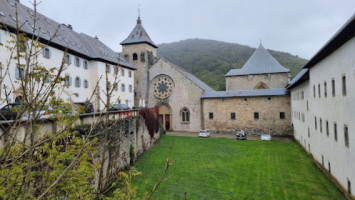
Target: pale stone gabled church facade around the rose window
[(185, 94)]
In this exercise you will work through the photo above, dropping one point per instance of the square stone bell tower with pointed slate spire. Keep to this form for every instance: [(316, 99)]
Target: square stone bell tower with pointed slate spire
[(141, 51)]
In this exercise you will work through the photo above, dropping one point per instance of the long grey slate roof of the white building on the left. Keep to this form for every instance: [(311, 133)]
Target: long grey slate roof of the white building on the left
[(57, 35)]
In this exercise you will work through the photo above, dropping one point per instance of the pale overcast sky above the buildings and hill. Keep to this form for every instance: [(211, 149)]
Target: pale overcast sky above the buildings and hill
[(300, 27)]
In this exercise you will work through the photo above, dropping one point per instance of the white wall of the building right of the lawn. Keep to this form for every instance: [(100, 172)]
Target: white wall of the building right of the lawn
[(339, 109)]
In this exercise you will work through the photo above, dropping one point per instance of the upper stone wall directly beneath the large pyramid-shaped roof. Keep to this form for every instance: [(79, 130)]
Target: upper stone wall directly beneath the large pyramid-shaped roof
[(279, 80)]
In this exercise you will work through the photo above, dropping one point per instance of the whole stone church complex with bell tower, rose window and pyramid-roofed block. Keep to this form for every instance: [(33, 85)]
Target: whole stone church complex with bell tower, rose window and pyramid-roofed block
[(255, 100)]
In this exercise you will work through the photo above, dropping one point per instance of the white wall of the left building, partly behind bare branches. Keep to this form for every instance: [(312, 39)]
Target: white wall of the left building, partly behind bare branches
[(73, 93)]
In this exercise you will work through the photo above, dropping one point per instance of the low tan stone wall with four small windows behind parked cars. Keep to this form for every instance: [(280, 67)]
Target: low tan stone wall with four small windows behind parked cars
[(244, 108)]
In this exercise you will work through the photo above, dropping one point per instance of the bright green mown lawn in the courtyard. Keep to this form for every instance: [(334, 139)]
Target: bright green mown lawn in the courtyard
[(221, 168)]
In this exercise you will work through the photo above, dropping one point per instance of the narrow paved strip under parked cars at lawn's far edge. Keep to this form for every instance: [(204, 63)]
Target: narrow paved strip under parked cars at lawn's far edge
[(220, 135)]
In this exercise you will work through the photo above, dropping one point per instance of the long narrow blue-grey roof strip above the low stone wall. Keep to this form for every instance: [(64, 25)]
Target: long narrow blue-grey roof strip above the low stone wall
[(245, 93)]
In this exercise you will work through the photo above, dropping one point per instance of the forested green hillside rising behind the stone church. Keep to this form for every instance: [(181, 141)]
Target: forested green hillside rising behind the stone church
[(210, 60)]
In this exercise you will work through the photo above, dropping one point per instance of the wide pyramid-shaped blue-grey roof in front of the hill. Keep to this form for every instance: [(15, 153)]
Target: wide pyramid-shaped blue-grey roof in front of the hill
[(261, 62)]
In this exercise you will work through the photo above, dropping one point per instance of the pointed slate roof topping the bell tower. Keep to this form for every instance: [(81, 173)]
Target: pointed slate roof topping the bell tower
[(138, 35)]
